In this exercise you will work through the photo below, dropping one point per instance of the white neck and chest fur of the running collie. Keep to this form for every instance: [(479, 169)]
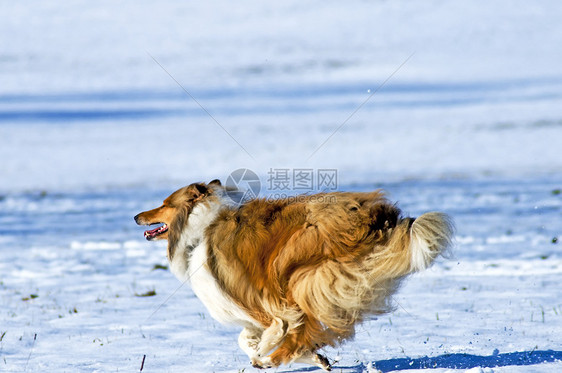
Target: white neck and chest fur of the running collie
[(203, 283)]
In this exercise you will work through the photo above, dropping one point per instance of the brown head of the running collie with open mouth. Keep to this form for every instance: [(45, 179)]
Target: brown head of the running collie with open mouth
[(176, 207)]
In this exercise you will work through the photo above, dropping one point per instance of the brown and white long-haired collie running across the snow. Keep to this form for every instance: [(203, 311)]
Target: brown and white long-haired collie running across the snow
[(297, 274)]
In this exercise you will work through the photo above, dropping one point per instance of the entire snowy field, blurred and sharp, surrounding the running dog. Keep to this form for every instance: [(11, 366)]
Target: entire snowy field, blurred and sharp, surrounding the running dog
[(97, 124)]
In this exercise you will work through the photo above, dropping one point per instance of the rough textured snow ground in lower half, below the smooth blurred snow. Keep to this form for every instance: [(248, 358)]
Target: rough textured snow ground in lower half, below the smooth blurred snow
[(497, 302)]
